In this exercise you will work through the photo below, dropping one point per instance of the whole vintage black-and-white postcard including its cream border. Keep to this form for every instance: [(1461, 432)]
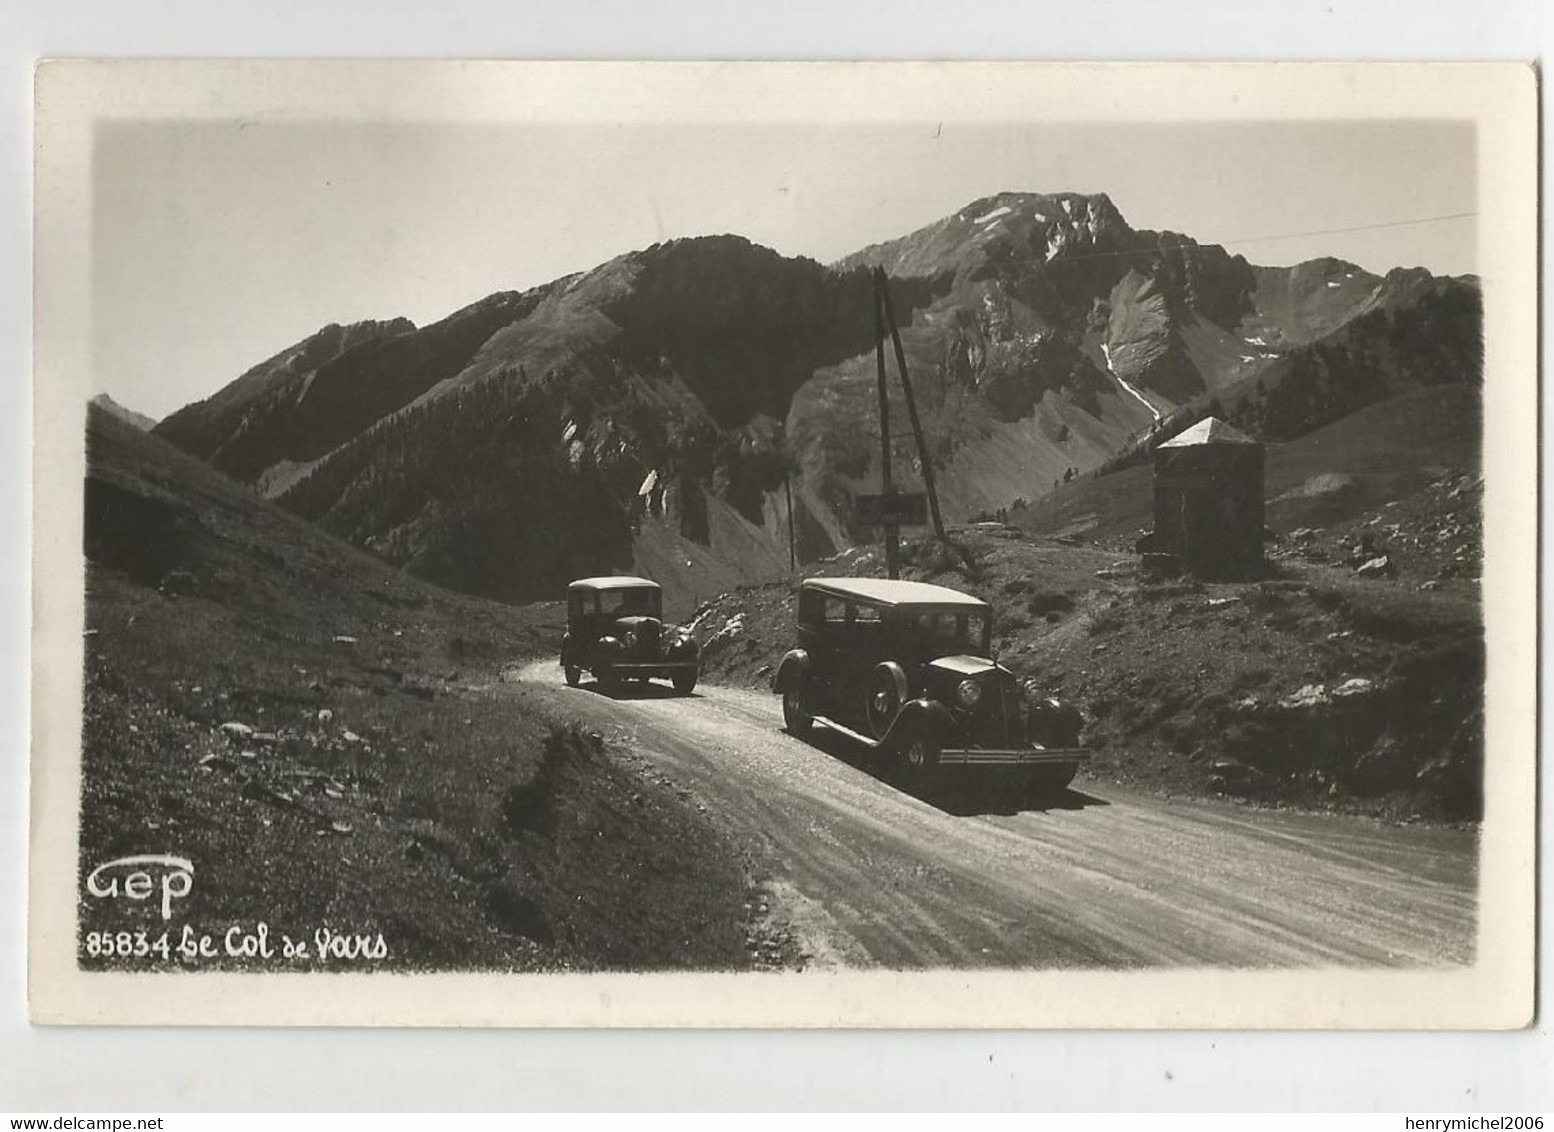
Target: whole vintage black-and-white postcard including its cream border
[(786, 545)]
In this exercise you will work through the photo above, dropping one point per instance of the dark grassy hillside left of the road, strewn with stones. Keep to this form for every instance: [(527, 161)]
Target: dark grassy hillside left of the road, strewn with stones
[(322, 738)]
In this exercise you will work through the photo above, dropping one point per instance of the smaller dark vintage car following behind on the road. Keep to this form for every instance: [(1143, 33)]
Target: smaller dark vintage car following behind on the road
[(616, 632)]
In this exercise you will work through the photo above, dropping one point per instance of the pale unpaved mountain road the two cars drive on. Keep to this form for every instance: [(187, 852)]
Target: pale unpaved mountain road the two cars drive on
[(868, 876)]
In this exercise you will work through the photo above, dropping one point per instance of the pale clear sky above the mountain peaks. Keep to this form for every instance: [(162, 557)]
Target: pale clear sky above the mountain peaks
[(217, 245)]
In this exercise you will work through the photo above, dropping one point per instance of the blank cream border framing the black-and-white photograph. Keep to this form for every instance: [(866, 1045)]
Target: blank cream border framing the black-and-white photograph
[(1500, 99)]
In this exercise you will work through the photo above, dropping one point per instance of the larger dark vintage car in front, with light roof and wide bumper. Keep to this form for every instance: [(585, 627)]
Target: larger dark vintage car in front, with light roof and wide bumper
[(904, 669)]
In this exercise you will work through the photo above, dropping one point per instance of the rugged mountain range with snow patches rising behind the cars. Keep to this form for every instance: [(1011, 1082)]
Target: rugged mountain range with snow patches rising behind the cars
[(1044, 334)]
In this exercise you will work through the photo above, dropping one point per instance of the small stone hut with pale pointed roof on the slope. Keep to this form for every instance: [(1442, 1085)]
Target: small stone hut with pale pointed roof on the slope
[(1210, 500)]
